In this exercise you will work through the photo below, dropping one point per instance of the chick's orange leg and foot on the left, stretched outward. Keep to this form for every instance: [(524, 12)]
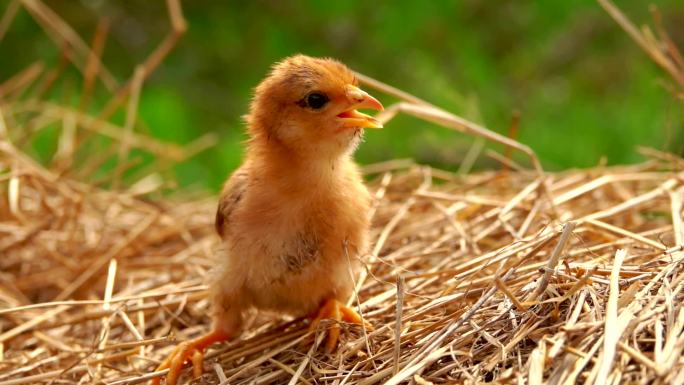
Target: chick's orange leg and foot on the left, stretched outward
[(192, 350)]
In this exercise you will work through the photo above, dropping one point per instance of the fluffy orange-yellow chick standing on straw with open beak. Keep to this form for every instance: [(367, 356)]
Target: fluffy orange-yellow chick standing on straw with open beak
[(294, 217)]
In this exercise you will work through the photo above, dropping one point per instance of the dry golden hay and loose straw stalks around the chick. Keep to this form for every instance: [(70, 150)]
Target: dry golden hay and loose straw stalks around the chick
[(507, 277)]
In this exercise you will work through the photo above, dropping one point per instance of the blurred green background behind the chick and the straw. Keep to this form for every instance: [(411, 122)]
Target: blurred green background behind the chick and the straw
[(585, 92)]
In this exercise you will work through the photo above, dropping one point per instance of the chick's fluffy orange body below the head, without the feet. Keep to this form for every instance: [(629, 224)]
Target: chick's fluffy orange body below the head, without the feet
[(292, 237)]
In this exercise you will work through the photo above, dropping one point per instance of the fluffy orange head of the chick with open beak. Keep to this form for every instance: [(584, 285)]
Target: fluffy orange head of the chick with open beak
[(309, 106)]
